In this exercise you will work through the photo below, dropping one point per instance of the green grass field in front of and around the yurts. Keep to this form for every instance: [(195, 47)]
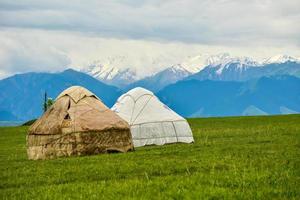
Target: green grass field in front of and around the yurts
[(239, 157)]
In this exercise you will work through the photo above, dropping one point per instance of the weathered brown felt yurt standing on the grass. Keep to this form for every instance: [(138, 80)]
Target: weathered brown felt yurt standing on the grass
[(78, 123)]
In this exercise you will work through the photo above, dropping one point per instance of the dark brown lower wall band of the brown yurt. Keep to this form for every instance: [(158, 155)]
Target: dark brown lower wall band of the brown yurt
[(81, 143)]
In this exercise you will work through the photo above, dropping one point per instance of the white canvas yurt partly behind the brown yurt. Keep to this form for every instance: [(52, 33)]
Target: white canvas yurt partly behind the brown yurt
[(151, 121)]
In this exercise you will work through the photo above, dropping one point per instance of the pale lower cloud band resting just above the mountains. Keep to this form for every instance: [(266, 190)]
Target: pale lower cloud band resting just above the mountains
[(39, 50)]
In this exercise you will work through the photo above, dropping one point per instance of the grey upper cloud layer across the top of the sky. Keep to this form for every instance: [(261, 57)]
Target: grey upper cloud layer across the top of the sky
[(208, 21)]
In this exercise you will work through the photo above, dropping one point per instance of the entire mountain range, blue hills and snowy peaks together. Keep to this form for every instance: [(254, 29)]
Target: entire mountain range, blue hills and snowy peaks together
[(220, 86)]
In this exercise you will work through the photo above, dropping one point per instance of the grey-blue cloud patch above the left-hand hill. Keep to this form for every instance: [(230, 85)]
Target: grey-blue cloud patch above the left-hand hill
[(24, 52)]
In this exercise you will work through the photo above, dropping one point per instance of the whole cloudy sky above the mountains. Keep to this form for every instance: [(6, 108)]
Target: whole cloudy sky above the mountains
[(52, 35)]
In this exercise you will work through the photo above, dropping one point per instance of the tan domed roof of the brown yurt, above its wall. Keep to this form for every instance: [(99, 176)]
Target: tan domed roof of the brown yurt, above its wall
[(85, 111)]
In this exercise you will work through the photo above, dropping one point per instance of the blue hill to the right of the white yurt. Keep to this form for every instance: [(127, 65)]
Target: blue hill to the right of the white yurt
[(266, 95)]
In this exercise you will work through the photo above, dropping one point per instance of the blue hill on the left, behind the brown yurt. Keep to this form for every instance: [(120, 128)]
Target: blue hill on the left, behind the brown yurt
[(21, 96)]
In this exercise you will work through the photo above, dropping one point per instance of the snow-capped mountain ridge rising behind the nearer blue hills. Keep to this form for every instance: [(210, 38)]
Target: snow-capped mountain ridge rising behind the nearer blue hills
[(202, 67)]
